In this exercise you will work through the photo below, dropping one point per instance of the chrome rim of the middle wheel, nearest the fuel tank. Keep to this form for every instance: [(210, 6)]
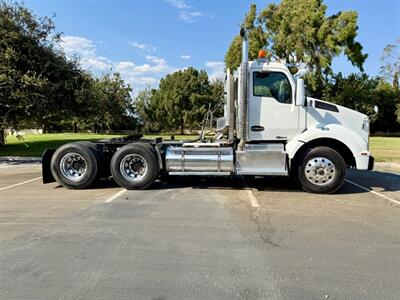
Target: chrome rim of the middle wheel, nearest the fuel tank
[(133, 167)]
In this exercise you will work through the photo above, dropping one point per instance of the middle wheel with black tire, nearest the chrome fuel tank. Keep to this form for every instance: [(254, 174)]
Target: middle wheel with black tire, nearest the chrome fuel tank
[(135, 166)]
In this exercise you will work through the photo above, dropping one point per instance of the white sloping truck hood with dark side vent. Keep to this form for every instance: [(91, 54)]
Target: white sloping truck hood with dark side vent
[(322, 113)]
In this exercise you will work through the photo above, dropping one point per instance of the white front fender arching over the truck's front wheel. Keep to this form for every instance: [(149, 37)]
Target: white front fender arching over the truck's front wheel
[(357, 145)]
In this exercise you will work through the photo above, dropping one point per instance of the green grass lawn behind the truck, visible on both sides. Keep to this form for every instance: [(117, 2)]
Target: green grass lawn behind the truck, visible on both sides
[(385, 149)]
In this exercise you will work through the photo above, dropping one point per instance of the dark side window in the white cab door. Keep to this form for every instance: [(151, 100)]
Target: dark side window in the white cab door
[(272, 84)]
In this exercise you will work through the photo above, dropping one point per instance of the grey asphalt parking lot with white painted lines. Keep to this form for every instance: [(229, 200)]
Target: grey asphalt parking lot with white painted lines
[(194, 238)]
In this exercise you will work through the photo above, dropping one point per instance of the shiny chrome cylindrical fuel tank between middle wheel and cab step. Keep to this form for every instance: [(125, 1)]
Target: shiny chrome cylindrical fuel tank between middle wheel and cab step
[(199, 160)]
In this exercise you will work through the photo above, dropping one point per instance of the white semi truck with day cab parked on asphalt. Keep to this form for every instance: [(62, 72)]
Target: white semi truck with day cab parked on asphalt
[(269, 128)]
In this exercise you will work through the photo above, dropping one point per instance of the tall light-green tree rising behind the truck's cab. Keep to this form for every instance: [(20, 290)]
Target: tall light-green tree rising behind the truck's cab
[(299, 31)]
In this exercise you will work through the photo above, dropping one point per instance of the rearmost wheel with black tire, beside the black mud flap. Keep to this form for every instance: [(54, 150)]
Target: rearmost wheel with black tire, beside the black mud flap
[(83, 157)]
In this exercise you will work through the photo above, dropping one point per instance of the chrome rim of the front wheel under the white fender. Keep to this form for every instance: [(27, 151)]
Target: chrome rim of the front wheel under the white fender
[(320, 171)]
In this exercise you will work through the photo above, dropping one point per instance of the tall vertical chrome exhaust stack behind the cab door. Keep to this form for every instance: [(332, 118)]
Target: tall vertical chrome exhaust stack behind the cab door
[(242, 95)]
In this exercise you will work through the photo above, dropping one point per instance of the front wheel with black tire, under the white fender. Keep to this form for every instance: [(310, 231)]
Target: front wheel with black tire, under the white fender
[(320, 170)]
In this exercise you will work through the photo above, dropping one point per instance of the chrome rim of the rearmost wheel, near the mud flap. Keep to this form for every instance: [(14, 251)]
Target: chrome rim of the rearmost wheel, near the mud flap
[(73, 166)]
